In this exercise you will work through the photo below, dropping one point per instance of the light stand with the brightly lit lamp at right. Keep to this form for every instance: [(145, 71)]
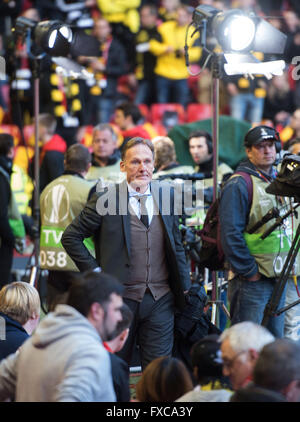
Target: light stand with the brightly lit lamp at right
[(238, 33)]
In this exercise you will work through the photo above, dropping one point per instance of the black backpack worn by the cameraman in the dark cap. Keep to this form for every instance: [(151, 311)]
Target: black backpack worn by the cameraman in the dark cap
[(211, 252)]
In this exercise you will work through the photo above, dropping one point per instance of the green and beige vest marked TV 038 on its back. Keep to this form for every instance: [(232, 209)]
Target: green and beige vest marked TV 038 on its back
[(60, 202)]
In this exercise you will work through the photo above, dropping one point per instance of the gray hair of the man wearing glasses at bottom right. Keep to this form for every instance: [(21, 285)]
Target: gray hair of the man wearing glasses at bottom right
[(247, 335)]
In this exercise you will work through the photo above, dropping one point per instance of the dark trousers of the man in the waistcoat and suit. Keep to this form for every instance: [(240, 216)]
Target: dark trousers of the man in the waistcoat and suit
[(152, 328)]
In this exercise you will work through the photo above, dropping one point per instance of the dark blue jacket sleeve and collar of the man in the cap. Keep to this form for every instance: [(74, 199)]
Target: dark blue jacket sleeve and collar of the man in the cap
[(234, 211)]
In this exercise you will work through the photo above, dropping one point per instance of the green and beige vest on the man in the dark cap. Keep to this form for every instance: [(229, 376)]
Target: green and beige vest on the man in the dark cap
[(270, 254)]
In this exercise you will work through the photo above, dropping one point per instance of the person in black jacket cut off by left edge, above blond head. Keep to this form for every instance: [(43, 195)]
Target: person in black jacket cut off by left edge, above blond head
[(7, 238)]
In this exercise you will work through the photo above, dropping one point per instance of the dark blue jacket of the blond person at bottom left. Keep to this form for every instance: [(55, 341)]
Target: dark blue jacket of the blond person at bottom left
[(15, 336)]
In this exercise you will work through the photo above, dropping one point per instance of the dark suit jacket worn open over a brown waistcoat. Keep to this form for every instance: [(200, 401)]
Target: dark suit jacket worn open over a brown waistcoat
[(112, 236)]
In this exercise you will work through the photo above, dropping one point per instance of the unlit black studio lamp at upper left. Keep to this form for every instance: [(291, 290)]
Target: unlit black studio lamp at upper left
[(51, 37)]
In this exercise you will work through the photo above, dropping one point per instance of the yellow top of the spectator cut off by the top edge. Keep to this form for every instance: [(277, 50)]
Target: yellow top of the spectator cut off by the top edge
[(121, 11)]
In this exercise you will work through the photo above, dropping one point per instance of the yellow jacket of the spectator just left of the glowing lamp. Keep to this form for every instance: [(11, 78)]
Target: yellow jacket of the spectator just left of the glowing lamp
[(168, 65)]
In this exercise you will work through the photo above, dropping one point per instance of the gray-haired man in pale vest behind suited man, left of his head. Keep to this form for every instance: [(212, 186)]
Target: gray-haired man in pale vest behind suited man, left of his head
[(106, 157)]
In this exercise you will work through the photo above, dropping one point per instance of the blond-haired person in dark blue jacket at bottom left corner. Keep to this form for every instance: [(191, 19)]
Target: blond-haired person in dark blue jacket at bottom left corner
[(19, 314)]
